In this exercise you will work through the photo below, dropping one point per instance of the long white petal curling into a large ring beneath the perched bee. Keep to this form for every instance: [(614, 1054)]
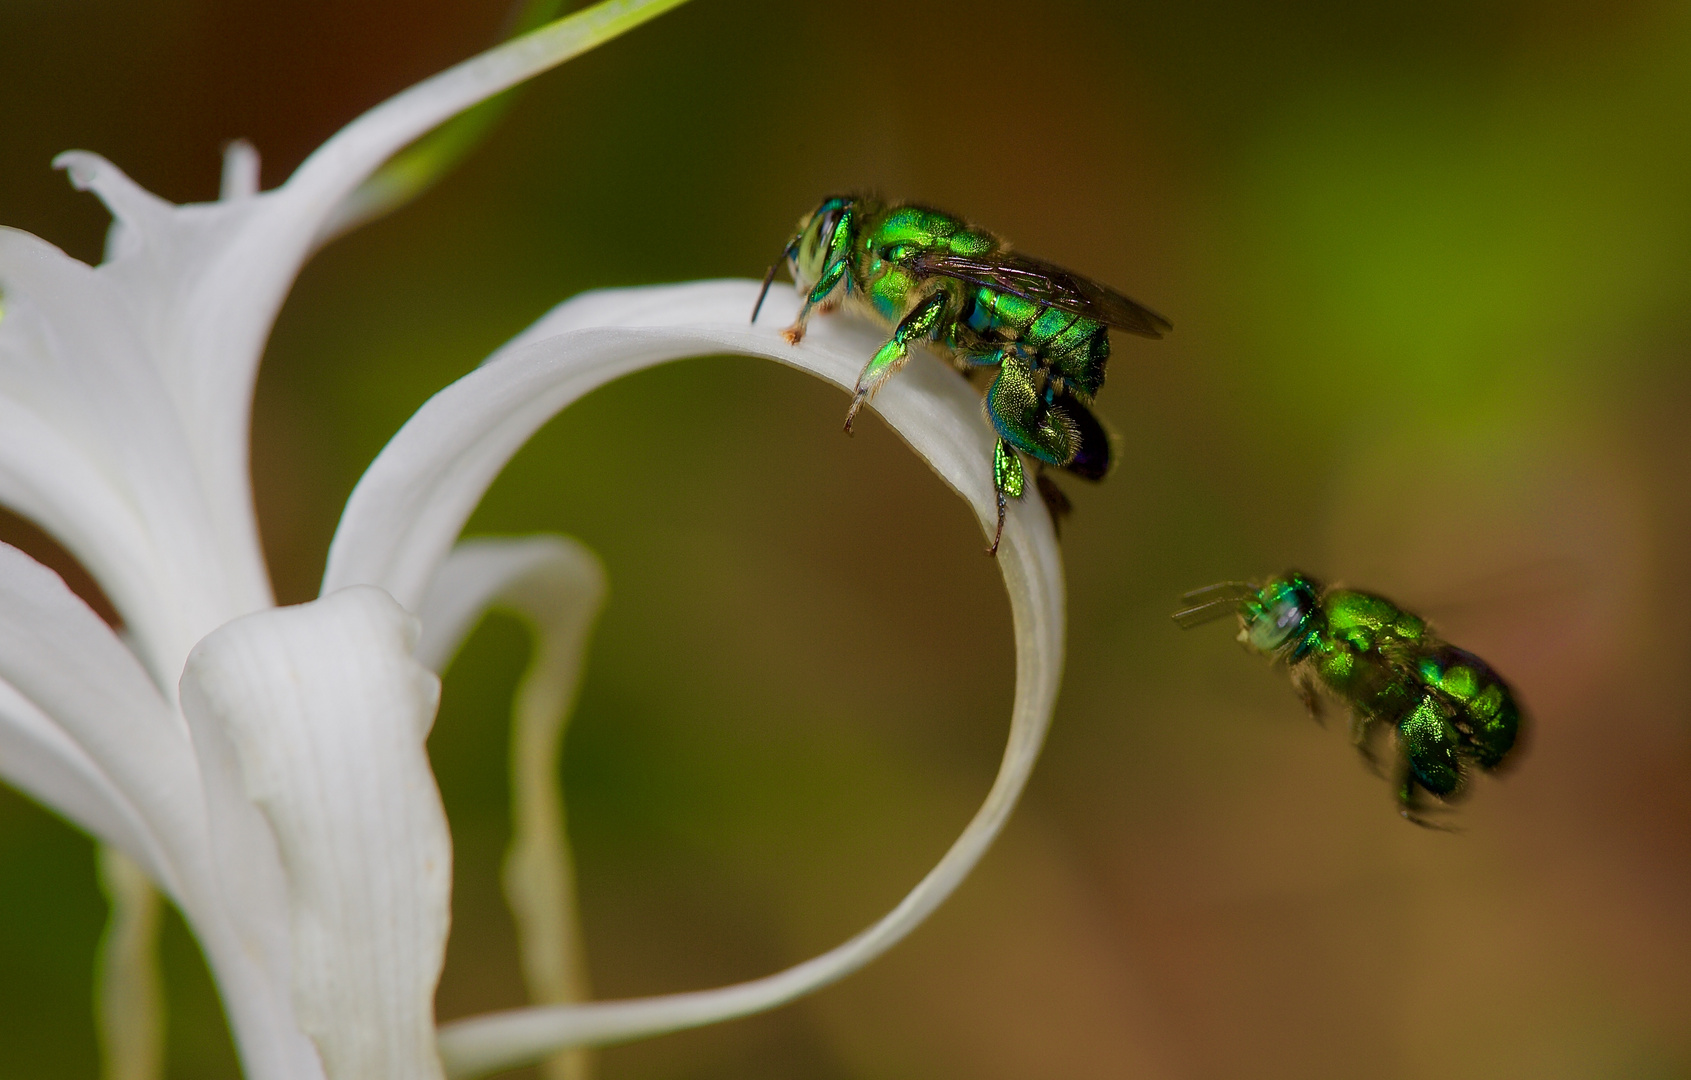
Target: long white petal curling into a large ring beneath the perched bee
[(415, 499)]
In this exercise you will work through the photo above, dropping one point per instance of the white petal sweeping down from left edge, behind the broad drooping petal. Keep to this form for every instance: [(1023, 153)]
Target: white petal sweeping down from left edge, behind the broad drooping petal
[(85, 729)]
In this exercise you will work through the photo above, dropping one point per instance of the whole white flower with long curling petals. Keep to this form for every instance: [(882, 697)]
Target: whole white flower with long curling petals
[(266, 766)]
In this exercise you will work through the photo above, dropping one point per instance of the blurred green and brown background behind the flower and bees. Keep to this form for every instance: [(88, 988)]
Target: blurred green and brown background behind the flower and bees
[(1428, 266)]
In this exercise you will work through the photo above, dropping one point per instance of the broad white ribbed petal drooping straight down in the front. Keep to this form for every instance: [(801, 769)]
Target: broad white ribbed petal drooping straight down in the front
[(327, 716)]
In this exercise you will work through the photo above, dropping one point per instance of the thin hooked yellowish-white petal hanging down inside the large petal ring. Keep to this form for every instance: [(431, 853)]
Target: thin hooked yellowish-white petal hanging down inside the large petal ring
[(559, 587)]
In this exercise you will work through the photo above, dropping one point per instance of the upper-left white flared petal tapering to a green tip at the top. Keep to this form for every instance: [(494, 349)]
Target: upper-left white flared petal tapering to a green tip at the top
[(146, 364)]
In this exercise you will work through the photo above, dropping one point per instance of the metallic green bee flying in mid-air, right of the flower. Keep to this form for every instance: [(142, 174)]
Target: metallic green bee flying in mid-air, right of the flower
[(1445, 706)]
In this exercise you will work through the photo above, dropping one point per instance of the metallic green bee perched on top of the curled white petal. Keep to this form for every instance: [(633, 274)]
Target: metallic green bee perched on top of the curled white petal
[(941, 281)]
